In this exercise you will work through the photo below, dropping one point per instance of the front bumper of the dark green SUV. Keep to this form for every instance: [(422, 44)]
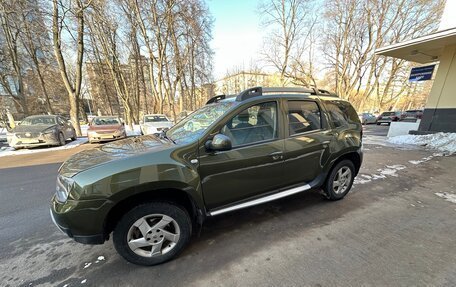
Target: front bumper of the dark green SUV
[(81, 220)]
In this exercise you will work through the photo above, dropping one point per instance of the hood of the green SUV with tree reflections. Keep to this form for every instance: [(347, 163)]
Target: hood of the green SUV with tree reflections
[(110, 152)]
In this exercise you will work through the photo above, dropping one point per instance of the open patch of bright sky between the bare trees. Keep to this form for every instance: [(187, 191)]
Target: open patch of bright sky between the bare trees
[(237, 35)]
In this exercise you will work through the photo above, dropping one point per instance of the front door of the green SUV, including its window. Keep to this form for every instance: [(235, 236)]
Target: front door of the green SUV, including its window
[(254, 164)]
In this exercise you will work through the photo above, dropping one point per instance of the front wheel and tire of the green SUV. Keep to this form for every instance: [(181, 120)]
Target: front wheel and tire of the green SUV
[(167, 241)]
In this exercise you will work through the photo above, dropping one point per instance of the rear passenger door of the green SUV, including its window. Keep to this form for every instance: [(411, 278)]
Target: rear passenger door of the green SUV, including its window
[(306, 143)]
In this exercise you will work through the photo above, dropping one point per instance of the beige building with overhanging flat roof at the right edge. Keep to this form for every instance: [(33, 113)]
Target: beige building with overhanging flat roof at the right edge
[(440, 110)]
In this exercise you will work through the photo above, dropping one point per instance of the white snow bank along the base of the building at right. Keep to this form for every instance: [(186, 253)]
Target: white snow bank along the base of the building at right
[(443, 142)]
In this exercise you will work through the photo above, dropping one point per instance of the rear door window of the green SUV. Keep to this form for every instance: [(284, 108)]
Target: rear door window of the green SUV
[(303, 116)]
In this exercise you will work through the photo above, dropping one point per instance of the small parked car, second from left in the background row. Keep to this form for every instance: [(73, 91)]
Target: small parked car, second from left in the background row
[(106, 128)]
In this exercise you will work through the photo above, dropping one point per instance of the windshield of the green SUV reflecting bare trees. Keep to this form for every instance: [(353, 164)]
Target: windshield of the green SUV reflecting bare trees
[(193, 126)]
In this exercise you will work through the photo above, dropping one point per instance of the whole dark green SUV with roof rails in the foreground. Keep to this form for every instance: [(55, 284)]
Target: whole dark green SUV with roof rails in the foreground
[(151, 192)]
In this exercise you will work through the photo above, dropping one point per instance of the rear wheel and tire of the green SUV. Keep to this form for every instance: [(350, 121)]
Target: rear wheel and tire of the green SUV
[(344, 174)]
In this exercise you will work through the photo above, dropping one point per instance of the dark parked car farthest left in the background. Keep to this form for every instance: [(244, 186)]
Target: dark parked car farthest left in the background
[(41, 130)]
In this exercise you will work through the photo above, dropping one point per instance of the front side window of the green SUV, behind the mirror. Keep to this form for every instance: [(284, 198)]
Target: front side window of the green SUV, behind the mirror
[(255, 124)]
